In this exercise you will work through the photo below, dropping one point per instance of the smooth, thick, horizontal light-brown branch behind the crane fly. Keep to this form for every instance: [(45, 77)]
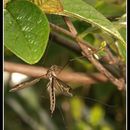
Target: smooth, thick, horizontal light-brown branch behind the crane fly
[(67, 76)]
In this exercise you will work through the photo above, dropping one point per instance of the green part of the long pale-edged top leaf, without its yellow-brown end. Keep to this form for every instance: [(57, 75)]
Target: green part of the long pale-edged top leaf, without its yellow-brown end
[(85, 12)]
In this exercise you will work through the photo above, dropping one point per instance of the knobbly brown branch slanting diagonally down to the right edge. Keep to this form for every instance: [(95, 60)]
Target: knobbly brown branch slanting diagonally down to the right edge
[(87, 52)]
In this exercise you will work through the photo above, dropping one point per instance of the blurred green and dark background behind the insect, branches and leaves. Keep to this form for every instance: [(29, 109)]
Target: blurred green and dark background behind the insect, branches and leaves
[(98, 106)]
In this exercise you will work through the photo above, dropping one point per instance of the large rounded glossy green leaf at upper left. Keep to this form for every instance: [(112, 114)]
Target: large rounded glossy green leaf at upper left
[(26, 30)]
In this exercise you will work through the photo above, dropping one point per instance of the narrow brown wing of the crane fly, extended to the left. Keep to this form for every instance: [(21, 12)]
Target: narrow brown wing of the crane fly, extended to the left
[(25, 85)]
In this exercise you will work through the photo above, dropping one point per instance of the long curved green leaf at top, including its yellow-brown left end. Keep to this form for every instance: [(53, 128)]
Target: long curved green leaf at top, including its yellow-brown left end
[(82, 11)]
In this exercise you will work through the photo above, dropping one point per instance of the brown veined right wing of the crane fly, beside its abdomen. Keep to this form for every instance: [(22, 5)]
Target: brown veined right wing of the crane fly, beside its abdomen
[(62, 87)]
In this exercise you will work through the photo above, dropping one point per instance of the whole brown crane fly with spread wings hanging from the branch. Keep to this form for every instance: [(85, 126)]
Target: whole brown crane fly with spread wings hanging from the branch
[(53, 85)]
